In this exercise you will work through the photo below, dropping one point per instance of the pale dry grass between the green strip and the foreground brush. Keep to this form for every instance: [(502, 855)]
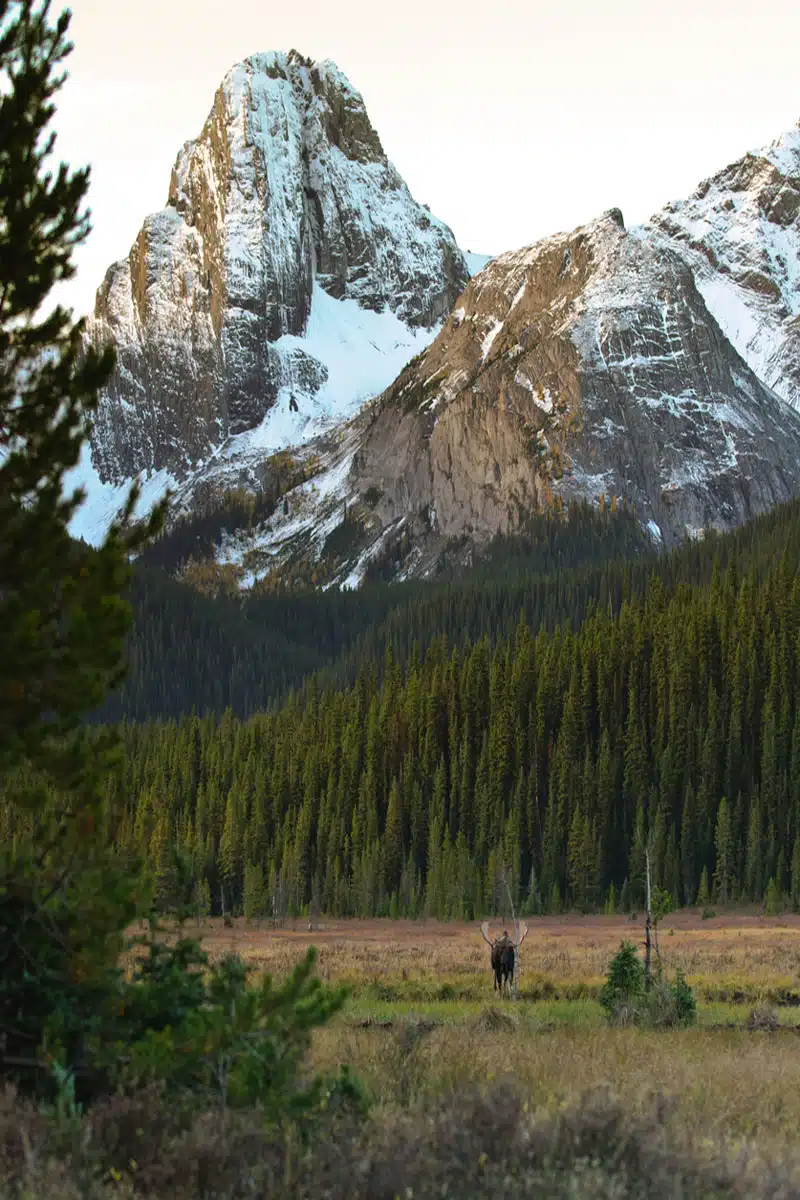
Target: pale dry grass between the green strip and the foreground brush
[(729, 1083)]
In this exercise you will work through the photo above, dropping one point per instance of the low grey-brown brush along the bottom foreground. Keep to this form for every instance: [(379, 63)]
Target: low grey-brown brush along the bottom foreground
[(476, 1145)]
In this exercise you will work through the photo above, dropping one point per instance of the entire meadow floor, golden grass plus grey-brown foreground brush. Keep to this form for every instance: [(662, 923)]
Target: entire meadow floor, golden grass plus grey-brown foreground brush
[(471, 1095)]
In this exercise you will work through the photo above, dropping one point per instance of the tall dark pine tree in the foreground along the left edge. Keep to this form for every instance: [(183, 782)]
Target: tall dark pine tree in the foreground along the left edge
[(64, 902)]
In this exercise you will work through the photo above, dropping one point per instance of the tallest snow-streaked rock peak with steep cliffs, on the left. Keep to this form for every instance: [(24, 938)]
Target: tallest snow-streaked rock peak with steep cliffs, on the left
[(291, 274)]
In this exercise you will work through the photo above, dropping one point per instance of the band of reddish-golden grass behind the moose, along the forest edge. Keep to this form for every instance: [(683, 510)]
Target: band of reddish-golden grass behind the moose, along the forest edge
[(737, 958)]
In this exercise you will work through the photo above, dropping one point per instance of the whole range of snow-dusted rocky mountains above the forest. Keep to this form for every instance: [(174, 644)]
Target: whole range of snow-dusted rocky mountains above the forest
[(292, 279)]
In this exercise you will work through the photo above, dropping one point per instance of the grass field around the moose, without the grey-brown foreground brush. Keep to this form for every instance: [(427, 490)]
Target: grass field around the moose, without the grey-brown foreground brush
[(423, 1019)]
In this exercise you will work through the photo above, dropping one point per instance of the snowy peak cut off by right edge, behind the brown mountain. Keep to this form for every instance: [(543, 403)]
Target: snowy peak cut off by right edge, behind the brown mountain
[(741, 235)]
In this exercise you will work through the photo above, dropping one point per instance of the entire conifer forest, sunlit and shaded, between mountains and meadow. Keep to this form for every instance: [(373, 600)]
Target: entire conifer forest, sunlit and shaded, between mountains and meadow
[(549, 728)]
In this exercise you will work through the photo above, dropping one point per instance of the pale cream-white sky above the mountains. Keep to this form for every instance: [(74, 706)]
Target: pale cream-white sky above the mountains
[(512, 121)]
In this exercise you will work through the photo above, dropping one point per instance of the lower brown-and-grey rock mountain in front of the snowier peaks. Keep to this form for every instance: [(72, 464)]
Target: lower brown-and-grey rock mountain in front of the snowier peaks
[(588, 365)]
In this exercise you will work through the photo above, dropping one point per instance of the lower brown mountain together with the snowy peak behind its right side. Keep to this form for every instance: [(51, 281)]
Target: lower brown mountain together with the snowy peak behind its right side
[(657, 367)]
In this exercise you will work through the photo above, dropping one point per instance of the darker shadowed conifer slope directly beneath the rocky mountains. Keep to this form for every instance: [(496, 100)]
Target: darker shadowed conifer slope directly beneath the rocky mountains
[(194, 652)]
